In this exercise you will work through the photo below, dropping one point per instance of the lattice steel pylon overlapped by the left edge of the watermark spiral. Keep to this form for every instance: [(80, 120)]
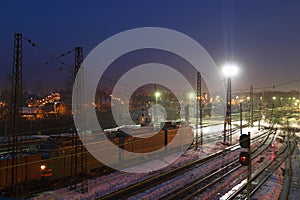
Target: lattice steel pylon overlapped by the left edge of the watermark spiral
[(79, 153)]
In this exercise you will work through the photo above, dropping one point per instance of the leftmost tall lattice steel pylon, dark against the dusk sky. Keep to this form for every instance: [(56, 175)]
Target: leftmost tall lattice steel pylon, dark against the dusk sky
[(14, 176)]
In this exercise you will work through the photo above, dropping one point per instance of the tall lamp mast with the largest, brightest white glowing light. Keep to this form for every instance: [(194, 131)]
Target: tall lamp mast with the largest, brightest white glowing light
[(228, 70)]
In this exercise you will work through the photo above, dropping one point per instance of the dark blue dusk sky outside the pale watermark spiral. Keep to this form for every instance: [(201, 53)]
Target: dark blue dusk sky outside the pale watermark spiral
[(262, 36)]
